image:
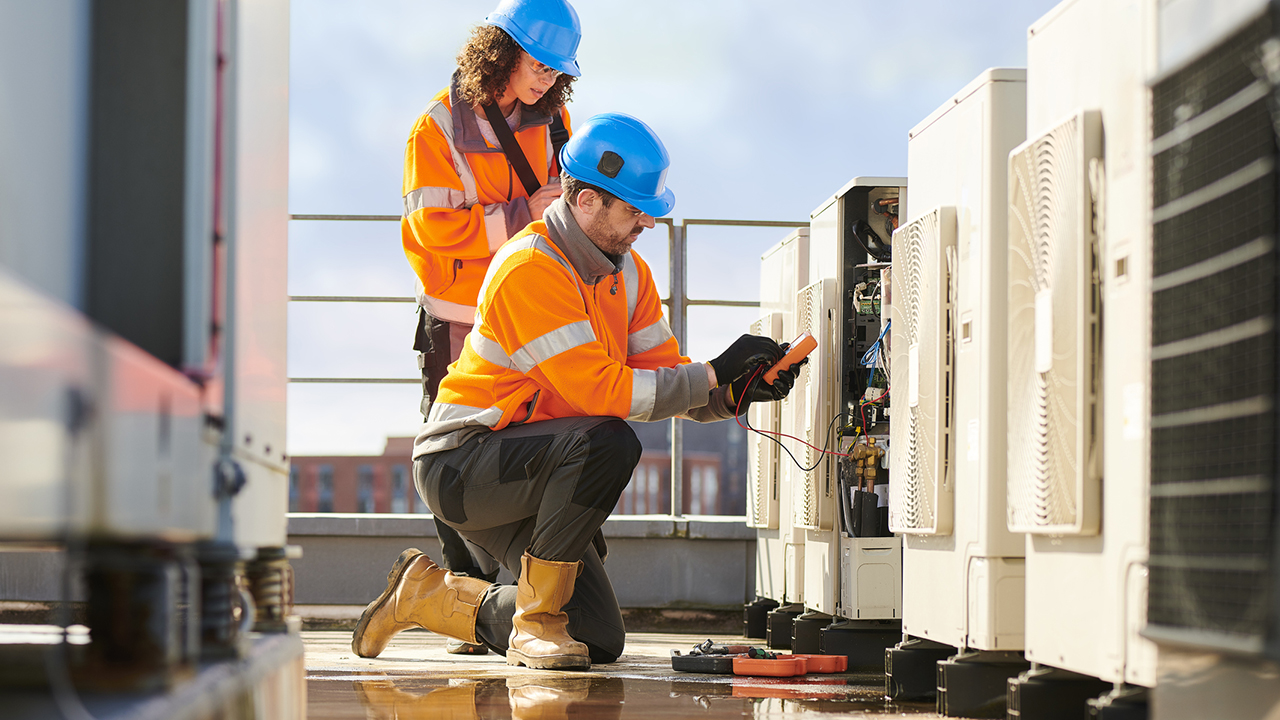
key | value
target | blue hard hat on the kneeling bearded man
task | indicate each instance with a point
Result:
(623, 156)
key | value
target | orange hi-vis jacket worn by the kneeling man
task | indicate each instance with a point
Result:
(566, 331)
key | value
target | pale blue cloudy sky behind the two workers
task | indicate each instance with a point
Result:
(766, 108)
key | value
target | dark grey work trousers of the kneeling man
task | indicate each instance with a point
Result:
(545, 489)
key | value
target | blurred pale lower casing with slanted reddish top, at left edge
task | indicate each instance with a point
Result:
(97, 436)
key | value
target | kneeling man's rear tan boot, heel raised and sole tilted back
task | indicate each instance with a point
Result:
(419, 595)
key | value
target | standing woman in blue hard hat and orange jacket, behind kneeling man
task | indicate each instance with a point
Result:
(481, 166)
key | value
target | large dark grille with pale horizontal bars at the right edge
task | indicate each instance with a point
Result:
(1214, 349)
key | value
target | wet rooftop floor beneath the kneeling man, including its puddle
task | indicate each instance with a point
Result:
(417, 680)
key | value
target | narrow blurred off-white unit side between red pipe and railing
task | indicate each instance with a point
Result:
(258, 227)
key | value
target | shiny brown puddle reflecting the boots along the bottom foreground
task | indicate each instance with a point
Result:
(565, 696)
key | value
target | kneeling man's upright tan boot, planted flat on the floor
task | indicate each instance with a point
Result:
(540, 634)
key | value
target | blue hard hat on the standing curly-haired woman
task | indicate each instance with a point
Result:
(548, 30)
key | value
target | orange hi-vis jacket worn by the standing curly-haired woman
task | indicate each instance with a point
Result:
(463, 200)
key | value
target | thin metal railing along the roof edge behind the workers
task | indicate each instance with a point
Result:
(678, 306)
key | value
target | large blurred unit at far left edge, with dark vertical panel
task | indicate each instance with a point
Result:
(102, 434)
